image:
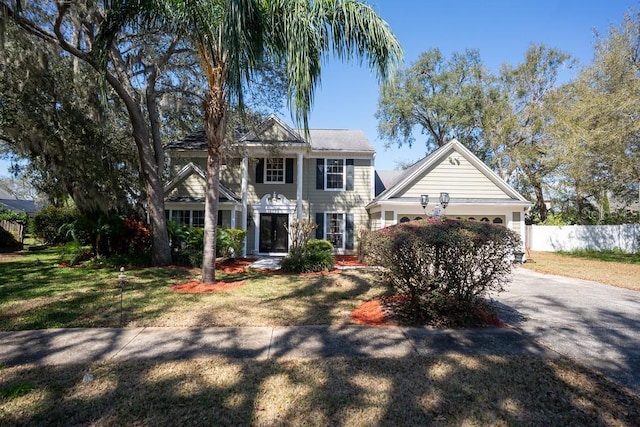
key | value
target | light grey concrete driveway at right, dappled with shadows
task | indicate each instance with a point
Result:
(595, 324)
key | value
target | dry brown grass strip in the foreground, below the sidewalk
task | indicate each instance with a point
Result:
(449, 390)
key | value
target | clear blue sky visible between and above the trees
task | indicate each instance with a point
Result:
(501, 30)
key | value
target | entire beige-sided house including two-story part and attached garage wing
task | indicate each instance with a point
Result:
(278, 176)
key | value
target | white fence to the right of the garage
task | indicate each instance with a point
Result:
(548, 238)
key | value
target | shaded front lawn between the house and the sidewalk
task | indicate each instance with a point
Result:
(36, 293)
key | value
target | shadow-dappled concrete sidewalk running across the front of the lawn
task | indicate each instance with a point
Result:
(68, 346)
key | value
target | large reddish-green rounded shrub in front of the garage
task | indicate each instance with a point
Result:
(443, 267)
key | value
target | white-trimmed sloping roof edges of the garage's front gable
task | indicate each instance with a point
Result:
(405, 179)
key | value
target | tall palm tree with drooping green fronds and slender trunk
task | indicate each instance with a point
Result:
(232, 37)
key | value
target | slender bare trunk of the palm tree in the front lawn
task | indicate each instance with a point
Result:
(215, 129)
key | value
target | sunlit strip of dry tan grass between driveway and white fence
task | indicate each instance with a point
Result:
(619, 274)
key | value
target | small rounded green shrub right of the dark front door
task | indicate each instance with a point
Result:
(315, 256)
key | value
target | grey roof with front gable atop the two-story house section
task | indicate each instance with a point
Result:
(319, 139)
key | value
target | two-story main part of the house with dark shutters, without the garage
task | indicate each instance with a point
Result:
(277, 176)
